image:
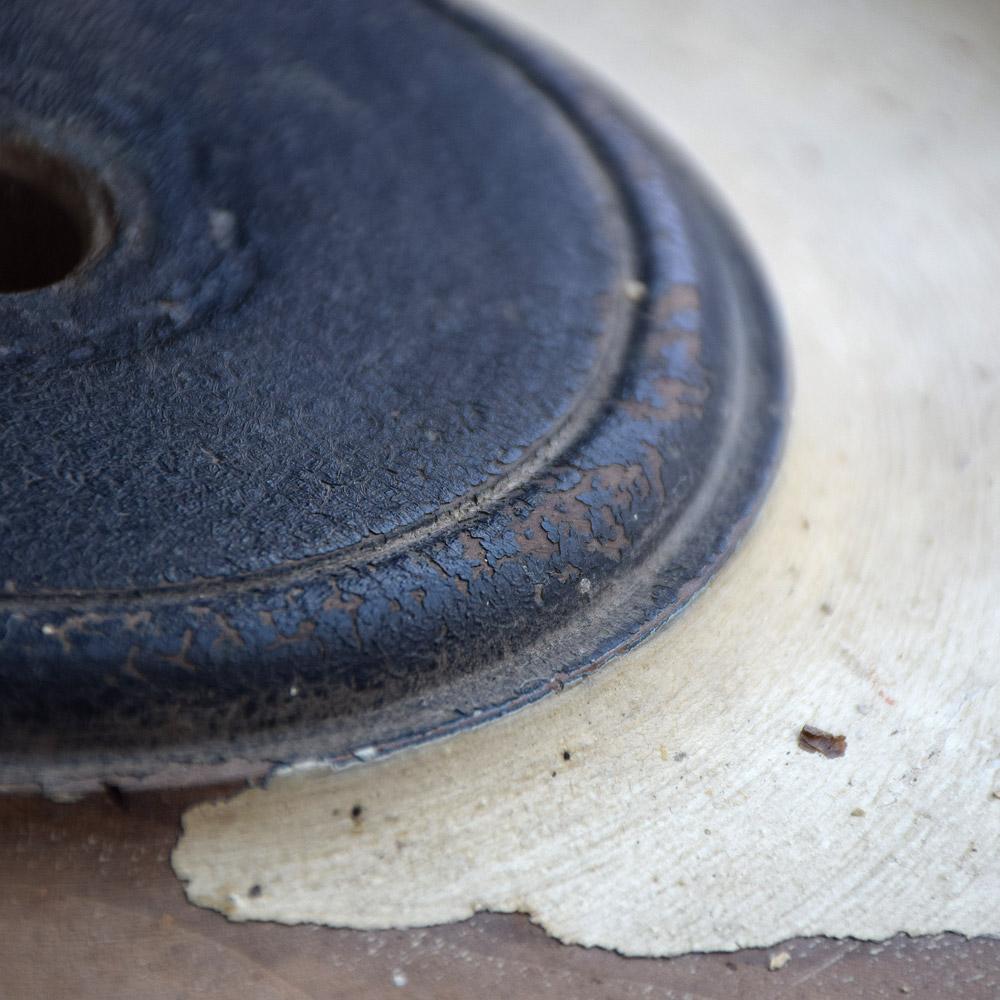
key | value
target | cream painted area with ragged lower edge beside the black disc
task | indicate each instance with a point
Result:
(860, 146)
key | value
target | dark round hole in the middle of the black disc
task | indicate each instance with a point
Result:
(53, 218)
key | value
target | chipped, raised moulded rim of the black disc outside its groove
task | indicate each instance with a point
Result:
(703, 320)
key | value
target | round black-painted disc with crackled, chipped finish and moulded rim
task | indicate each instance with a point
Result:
(398, 379)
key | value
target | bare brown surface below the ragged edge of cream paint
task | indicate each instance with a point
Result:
(90, 910)
